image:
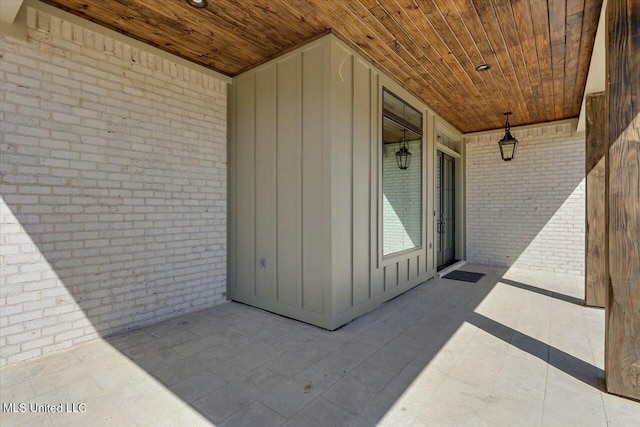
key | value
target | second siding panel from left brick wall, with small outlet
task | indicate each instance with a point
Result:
(265, 194)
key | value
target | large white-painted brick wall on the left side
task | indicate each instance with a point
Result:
(113, 171)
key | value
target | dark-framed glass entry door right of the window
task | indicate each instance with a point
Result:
(445, 209)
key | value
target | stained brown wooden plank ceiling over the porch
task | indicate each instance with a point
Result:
(539, 50)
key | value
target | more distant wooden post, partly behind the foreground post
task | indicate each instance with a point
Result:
(596, 146)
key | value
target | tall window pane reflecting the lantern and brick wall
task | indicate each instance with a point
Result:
(401, 188)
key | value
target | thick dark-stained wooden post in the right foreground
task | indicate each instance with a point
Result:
(622, 329)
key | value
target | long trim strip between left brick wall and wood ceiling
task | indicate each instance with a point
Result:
(38, 5)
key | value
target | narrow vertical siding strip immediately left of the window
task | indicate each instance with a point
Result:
(377, 272)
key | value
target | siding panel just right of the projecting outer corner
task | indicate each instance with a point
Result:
(342, 177)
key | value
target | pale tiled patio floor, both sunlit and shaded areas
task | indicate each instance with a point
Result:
(517, 348)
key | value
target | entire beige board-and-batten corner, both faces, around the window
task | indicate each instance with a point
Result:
(305, 182)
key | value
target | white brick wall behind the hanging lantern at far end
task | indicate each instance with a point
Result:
(527, 213)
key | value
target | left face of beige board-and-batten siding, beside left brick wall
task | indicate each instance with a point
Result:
(279, 194)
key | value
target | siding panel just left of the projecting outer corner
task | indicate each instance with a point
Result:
(313, 210)
